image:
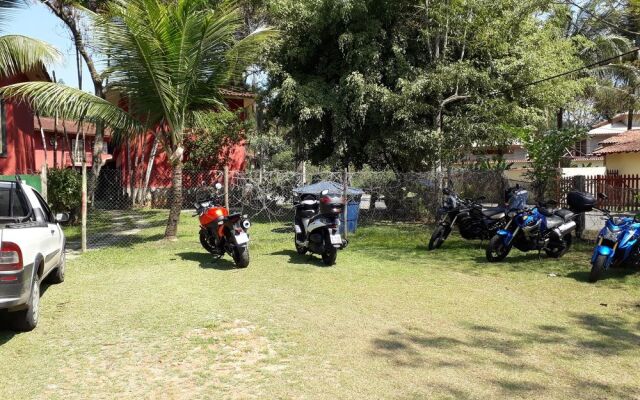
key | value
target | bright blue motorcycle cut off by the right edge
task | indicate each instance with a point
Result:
(617, 243)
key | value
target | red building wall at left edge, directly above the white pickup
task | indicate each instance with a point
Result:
(19, 153)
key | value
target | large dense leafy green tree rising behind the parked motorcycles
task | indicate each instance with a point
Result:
(407, 84)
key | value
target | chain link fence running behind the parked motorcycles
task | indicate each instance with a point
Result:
(124, 210)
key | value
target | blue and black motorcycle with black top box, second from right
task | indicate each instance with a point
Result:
(542, 228)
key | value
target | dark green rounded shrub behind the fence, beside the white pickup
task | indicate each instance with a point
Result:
(64, 191)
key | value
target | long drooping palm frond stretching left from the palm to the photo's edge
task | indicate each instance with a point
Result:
(48, 98)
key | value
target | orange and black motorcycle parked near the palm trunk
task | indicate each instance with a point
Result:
(222, 232)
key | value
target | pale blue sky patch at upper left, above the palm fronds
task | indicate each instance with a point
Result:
(38, 22)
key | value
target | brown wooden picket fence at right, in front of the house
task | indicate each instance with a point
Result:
(623, 191)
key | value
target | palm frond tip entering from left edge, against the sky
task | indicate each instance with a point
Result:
(19, 54)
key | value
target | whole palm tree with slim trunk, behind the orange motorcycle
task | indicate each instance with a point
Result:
(168, 60)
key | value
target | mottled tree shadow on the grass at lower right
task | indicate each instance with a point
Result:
(505, 349)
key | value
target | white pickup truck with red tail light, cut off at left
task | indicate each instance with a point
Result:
(32, 250)
